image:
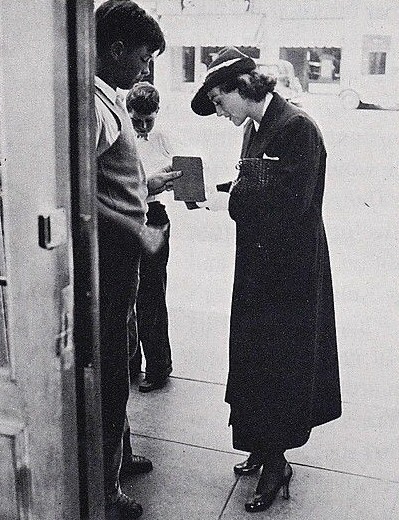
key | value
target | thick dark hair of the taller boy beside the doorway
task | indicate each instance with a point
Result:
(125, 21)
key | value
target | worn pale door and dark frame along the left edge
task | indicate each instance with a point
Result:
(50, 435)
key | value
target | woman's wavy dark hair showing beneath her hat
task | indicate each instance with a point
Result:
(251, 85)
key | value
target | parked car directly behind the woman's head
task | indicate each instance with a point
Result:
(288, 85)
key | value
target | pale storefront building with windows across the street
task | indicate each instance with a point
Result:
(333, 45)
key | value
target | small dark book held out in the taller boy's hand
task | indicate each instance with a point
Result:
(190, 187)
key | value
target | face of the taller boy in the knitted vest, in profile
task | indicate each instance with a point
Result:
(133, 65)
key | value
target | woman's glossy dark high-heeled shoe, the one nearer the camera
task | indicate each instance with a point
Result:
(272, 479)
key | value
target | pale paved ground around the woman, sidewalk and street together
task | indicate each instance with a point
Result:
(349, 469)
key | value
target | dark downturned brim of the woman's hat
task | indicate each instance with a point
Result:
(201, 104)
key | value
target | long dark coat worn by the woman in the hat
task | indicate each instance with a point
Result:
(283, 371)
